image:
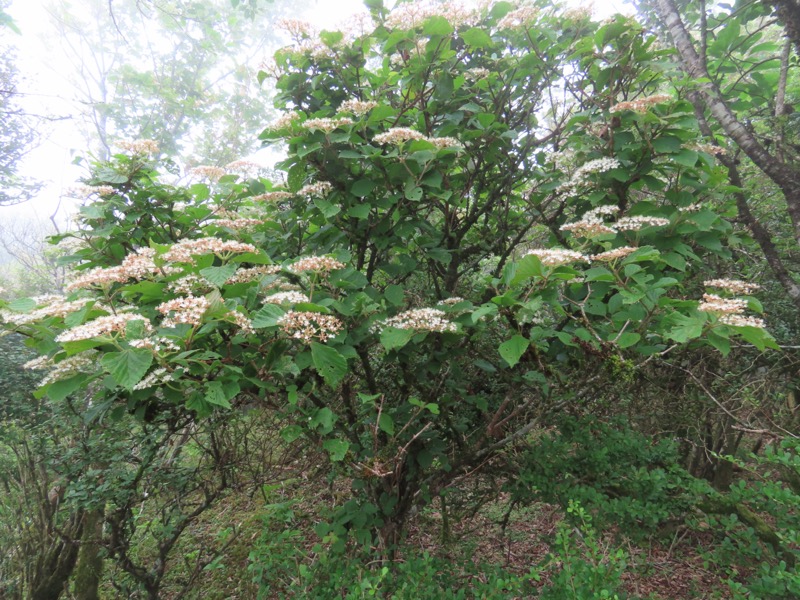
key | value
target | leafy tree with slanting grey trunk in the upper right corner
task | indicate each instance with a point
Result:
(737, 82)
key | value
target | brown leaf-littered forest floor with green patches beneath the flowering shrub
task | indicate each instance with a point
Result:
(660, 567)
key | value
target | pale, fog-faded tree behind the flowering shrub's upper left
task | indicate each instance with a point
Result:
(180, 73)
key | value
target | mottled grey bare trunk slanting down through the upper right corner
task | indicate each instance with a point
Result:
(785, 176)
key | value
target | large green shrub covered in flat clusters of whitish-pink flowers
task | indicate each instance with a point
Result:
(456, 183)
